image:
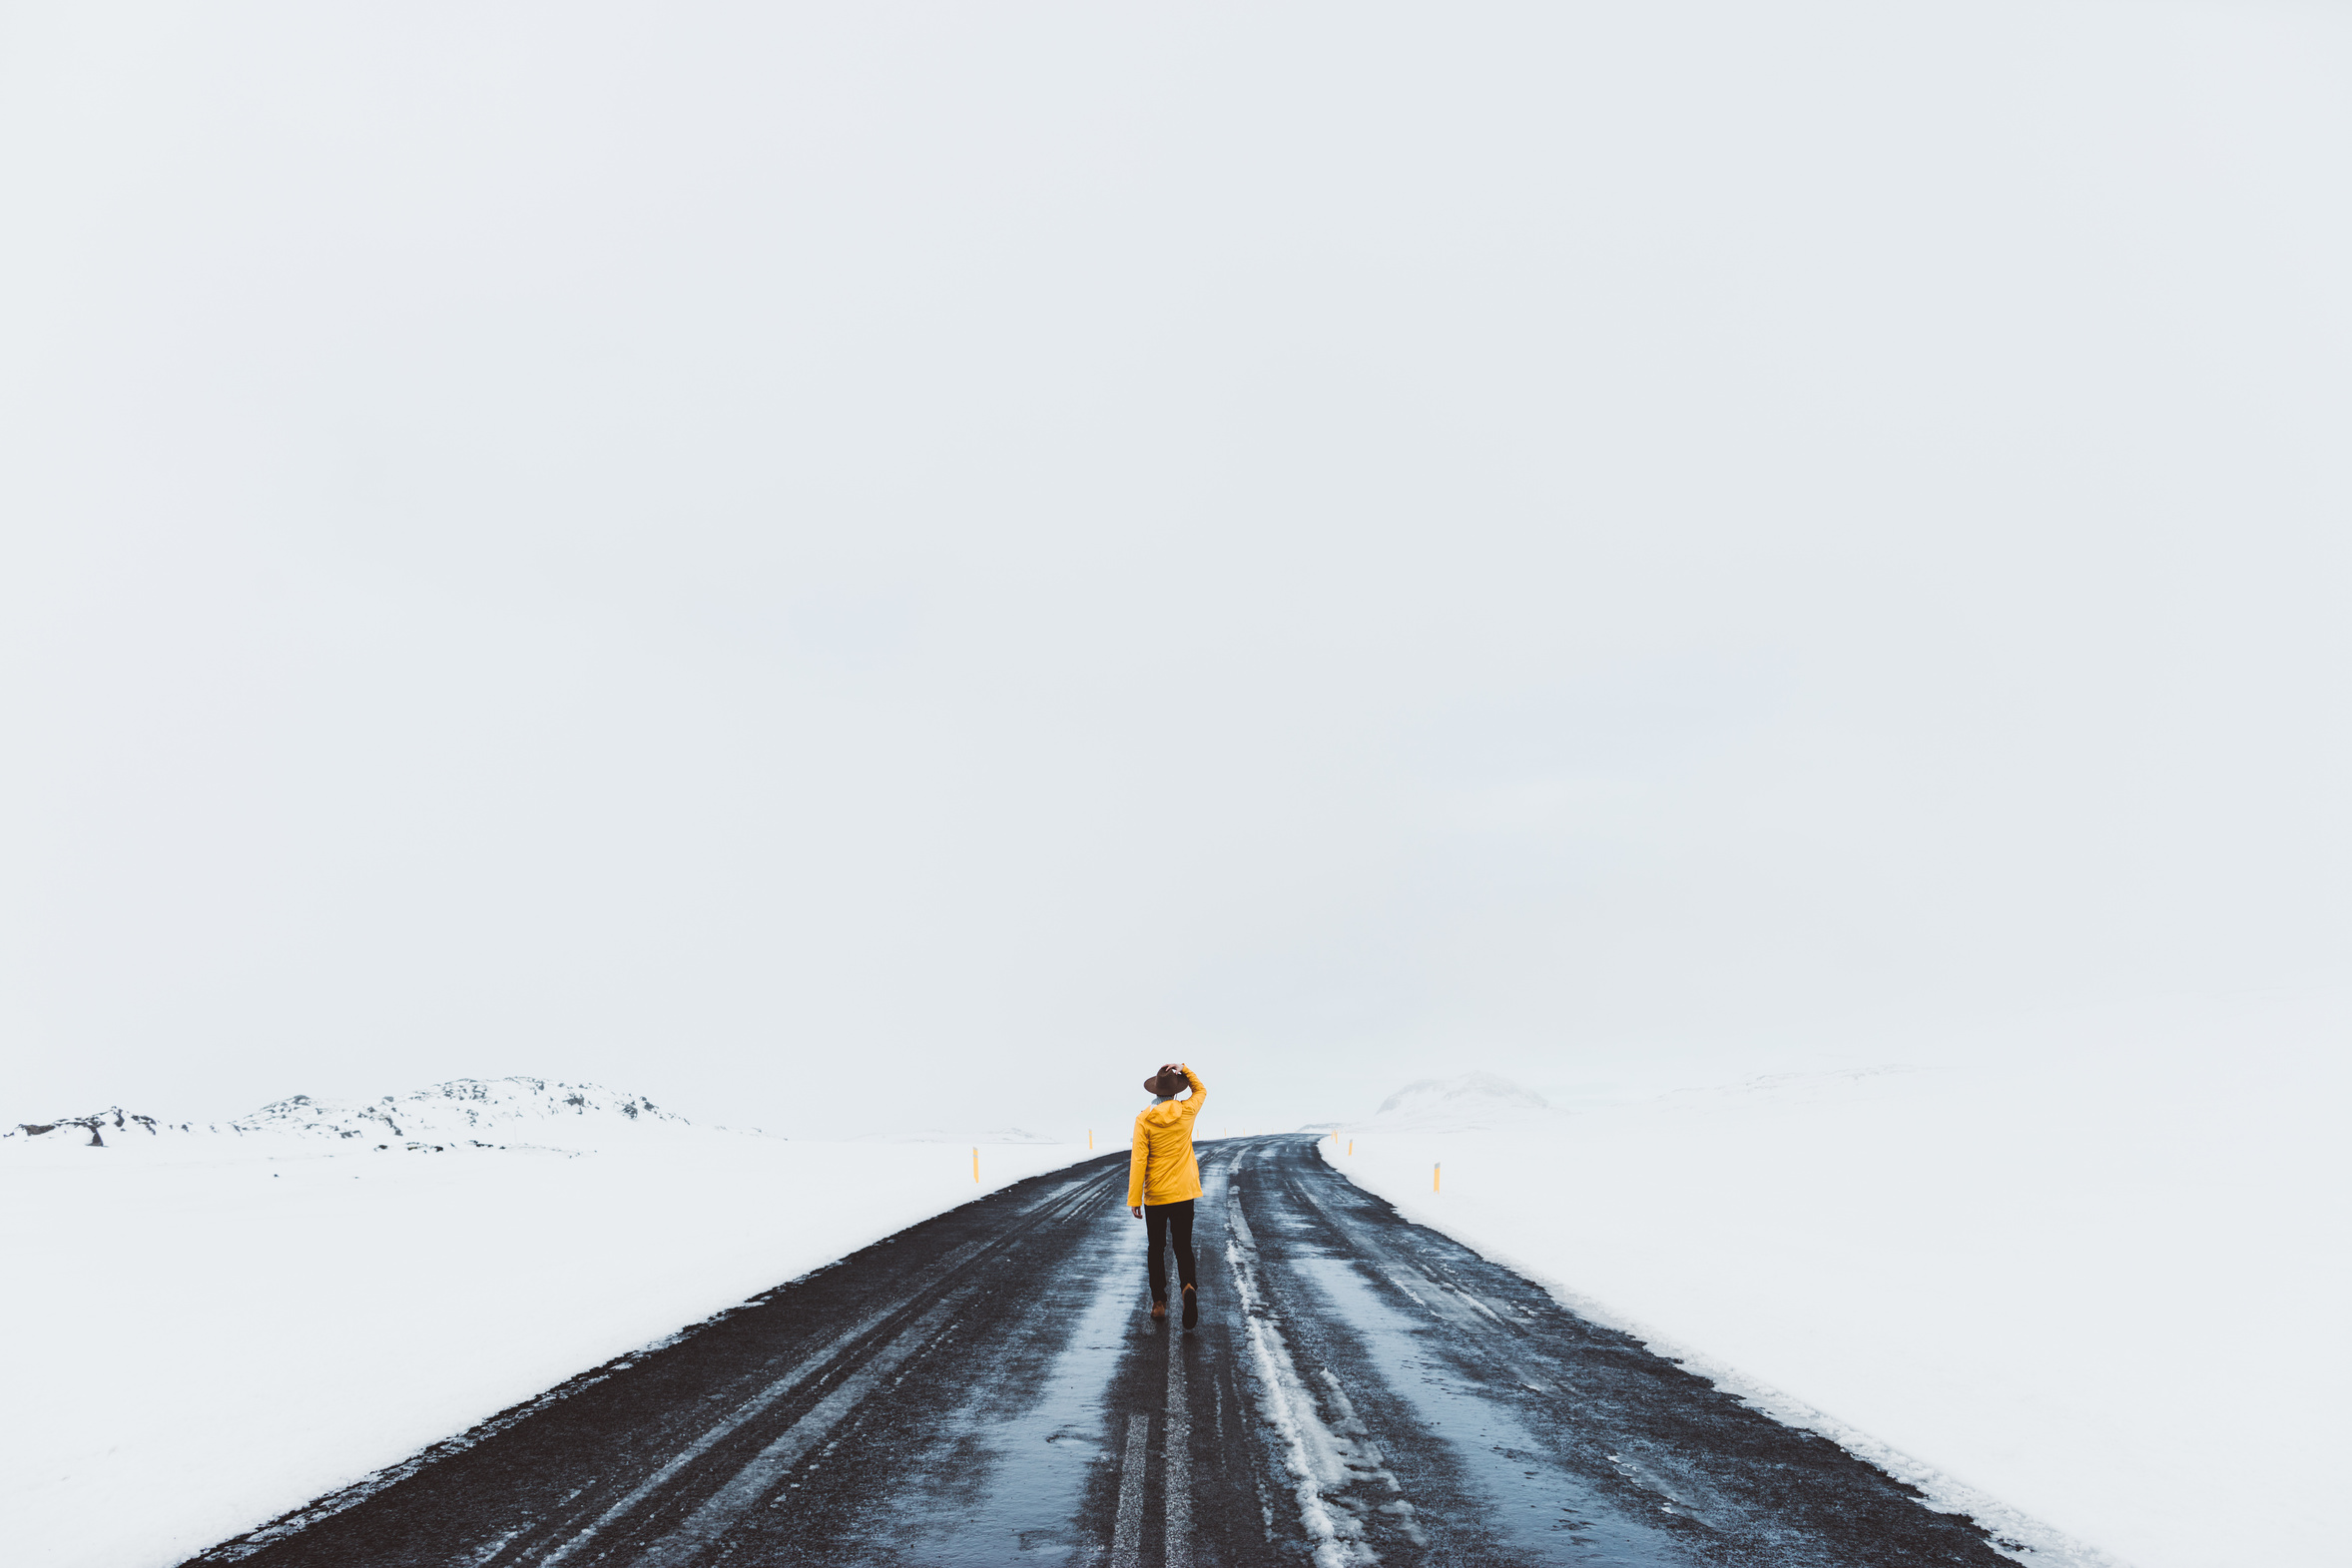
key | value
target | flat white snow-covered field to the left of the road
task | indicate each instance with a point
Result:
(211, 1329)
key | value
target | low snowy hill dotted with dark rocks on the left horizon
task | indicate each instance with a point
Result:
(457, 1113)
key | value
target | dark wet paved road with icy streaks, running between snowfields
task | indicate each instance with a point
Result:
(987, 1388)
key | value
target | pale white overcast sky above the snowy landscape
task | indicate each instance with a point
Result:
(864, 563)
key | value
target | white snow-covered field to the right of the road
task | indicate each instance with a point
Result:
(2097, 1275)
